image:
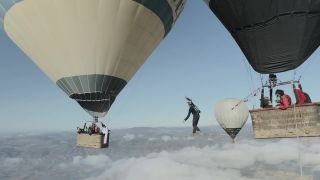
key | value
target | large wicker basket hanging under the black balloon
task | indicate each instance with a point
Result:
(295, 121)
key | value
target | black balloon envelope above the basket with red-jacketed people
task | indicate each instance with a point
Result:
(274, 35)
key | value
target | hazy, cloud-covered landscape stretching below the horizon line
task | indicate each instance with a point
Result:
(157, 154)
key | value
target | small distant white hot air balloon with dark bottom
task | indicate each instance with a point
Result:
(231, 114)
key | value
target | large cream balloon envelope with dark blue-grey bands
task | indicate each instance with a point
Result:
(90, 49)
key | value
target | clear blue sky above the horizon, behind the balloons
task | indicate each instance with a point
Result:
(198, 59)
